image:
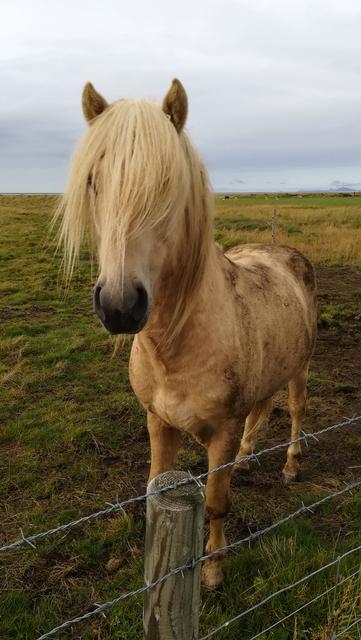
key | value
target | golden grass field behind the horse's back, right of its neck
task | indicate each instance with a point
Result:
(327, 228)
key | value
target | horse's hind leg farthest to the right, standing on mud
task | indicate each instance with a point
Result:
(297, 394)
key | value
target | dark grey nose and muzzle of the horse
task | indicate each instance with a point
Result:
(128, 316)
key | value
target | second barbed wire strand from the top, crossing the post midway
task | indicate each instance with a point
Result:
(193, 563)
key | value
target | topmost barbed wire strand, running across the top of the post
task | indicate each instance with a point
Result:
(120, 506)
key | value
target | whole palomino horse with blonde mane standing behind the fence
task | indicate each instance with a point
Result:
(216, 334)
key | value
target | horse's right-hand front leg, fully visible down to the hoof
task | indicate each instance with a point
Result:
(221, 450)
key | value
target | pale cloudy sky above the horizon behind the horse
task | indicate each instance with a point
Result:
(274, 87)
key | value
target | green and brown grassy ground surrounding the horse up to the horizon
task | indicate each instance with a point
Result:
(73, 437)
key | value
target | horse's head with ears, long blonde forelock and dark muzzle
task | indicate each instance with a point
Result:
(134, 186)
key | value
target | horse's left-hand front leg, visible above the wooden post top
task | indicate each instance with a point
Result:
(164, 445)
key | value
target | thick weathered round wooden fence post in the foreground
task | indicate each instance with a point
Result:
(174, 537)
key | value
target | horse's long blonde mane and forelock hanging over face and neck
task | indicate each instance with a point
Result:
(145, 172)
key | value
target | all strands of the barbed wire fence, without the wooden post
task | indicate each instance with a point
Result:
(252, 537)
